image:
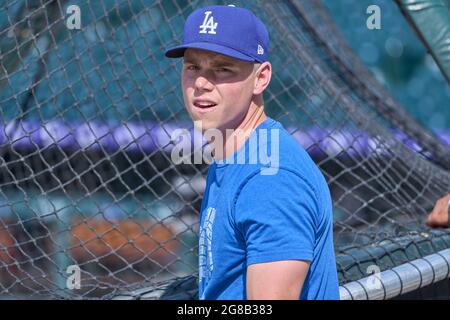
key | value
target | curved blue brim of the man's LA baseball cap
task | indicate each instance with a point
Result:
(178, 51)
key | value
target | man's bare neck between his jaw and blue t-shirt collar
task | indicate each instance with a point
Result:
(233, 142)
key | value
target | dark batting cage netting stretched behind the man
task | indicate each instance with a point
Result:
(92, 205)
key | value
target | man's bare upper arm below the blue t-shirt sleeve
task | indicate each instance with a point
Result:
(278, 280)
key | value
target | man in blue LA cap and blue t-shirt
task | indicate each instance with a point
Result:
(265, 226)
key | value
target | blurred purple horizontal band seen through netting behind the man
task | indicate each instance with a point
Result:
(152, 136)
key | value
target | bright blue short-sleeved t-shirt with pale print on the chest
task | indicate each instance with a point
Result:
(277, 207)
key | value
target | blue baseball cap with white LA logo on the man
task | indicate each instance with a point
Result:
(228, 30)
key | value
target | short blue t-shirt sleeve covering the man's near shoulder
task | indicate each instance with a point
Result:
(277, 216)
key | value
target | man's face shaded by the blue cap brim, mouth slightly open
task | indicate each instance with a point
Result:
(217, 90)
